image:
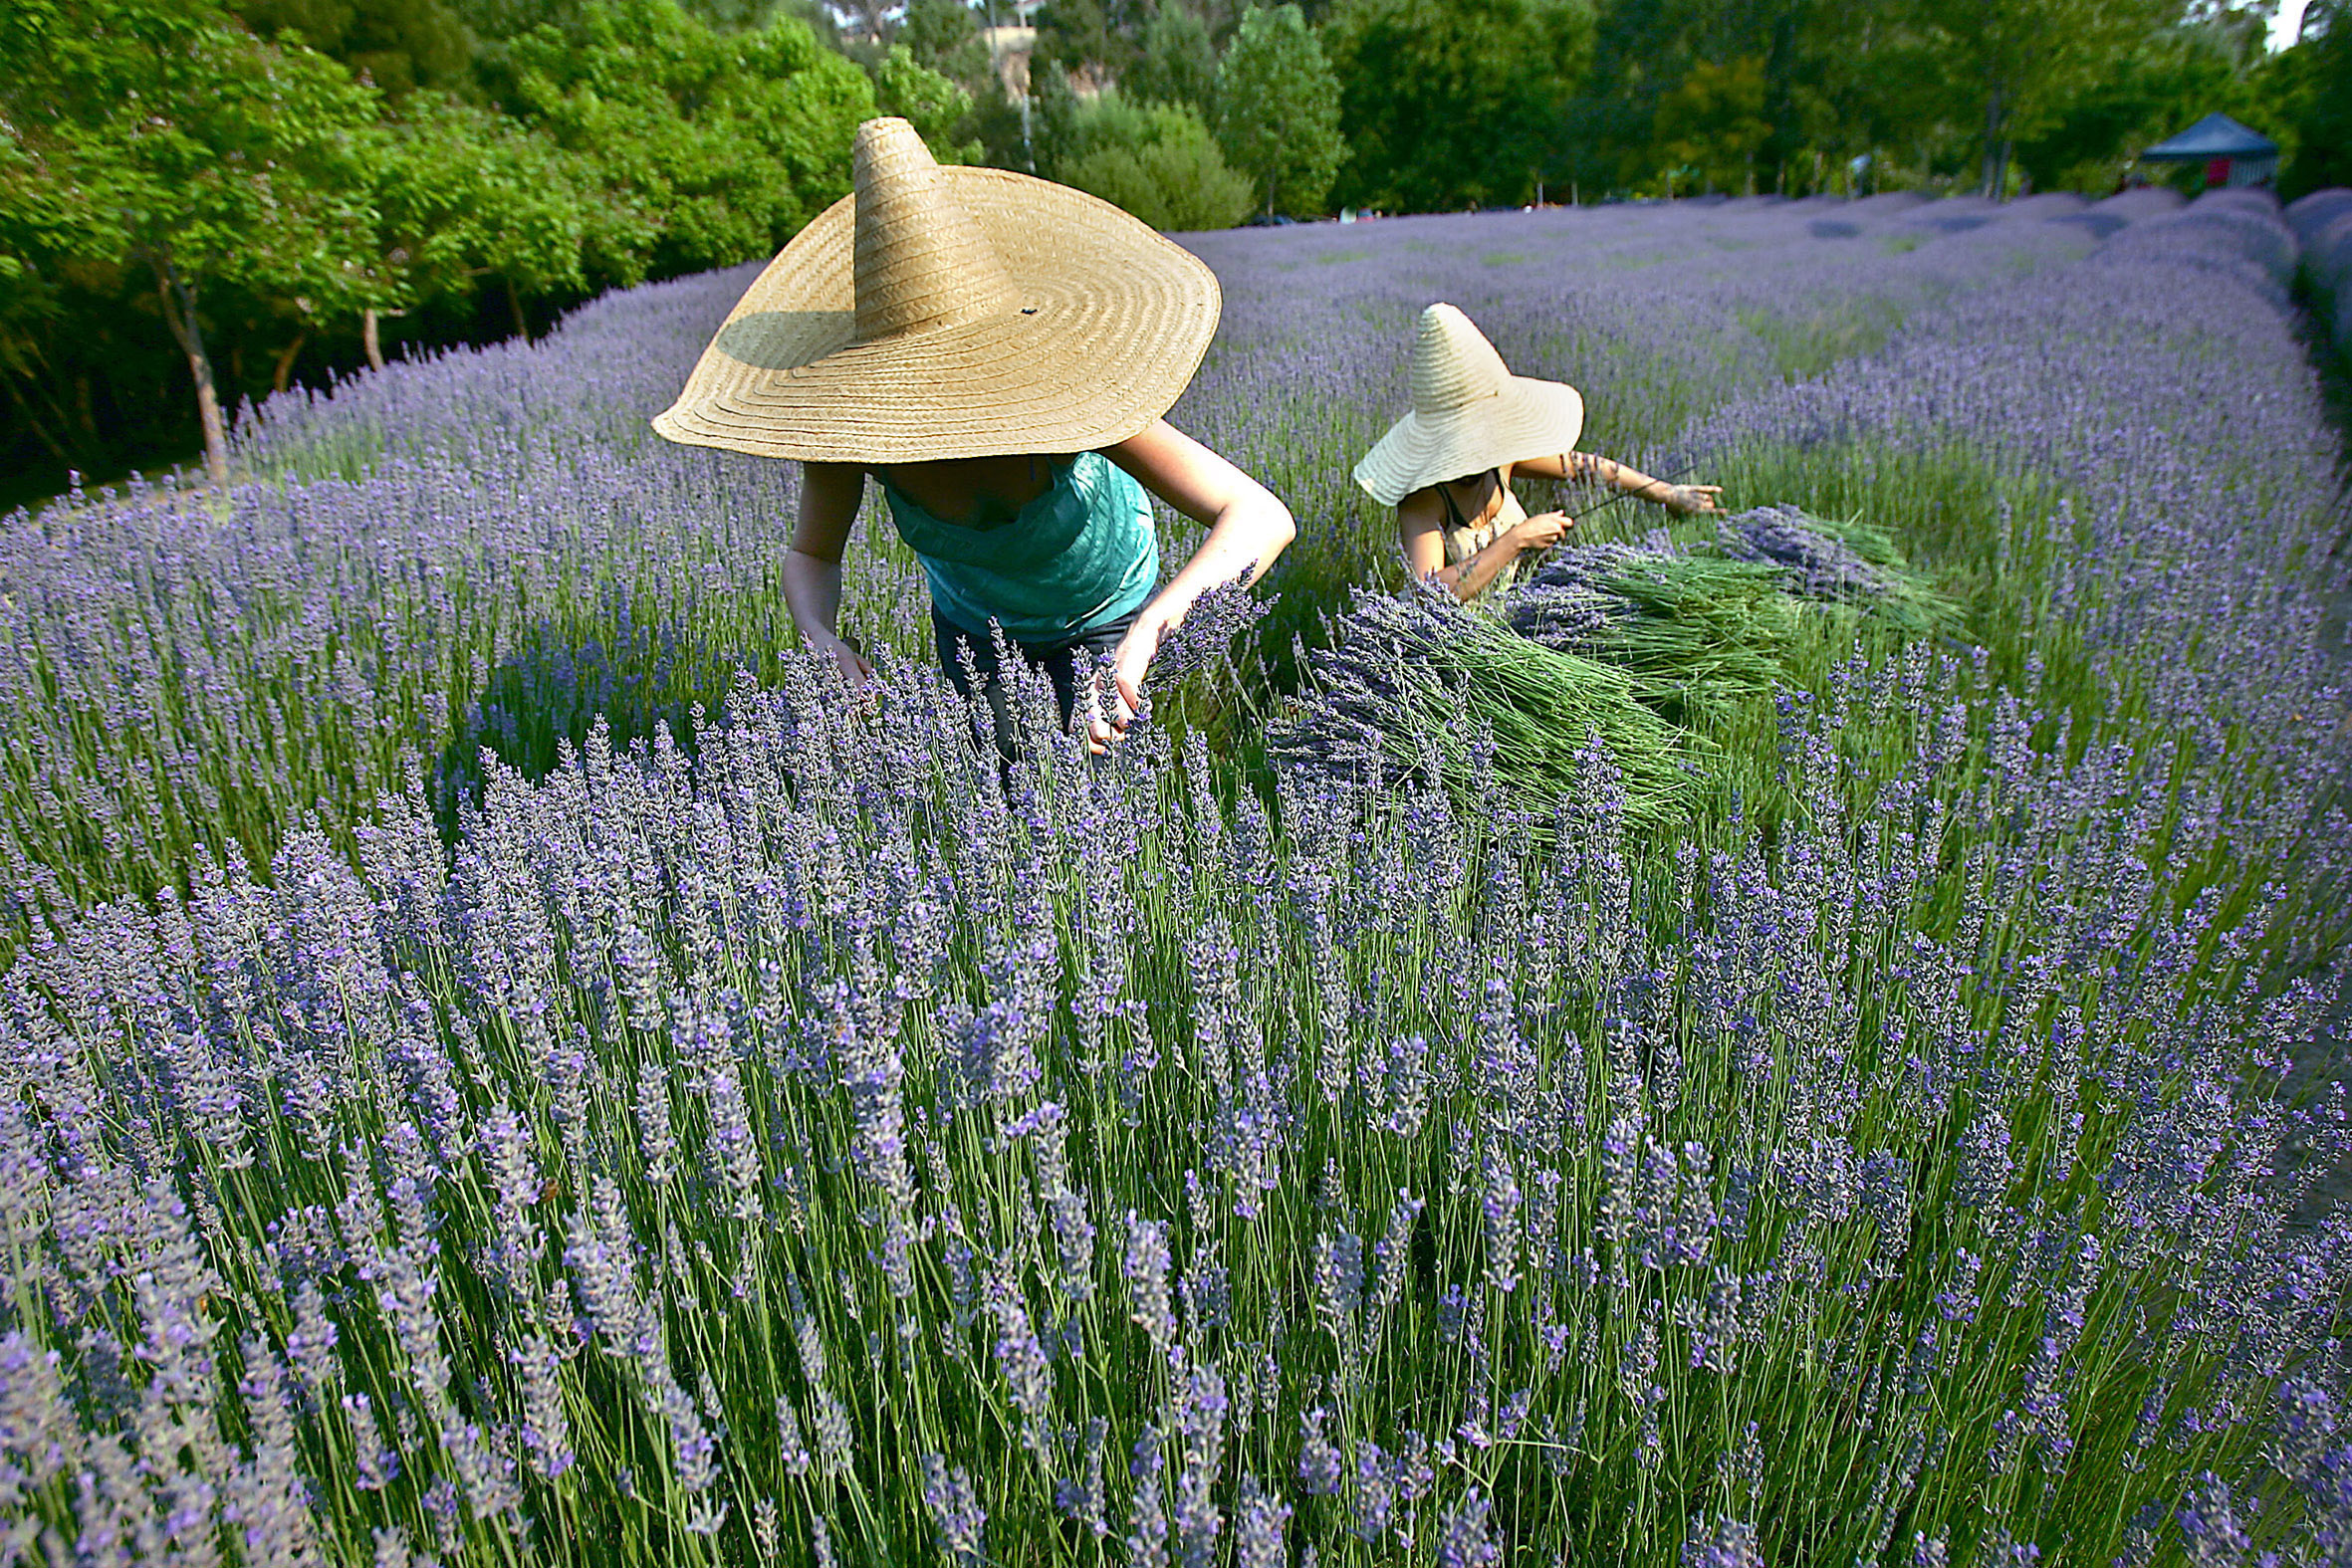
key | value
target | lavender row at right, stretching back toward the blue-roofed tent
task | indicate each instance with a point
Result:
(2184, 455)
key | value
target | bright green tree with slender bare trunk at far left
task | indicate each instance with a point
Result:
(163, 138)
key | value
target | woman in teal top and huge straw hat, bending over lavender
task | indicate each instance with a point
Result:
(996, 351)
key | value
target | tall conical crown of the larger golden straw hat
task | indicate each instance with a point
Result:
(921, 262)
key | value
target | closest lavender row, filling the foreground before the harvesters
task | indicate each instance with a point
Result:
(831, 1148)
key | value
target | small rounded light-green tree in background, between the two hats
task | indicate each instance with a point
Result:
(1278, 109)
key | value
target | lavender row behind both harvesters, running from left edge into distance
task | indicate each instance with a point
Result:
(490, 547)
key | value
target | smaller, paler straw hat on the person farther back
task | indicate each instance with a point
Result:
(1469, 415)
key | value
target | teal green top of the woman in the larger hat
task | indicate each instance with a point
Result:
(1078, 556)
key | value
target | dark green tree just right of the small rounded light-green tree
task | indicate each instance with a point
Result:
(1455, 102)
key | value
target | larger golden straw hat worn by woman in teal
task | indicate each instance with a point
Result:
(951, 314)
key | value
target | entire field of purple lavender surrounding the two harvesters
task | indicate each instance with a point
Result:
(505, 1061)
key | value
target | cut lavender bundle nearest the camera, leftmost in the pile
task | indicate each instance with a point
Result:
(1415, 685)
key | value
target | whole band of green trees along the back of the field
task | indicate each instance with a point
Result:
(305, 166)
